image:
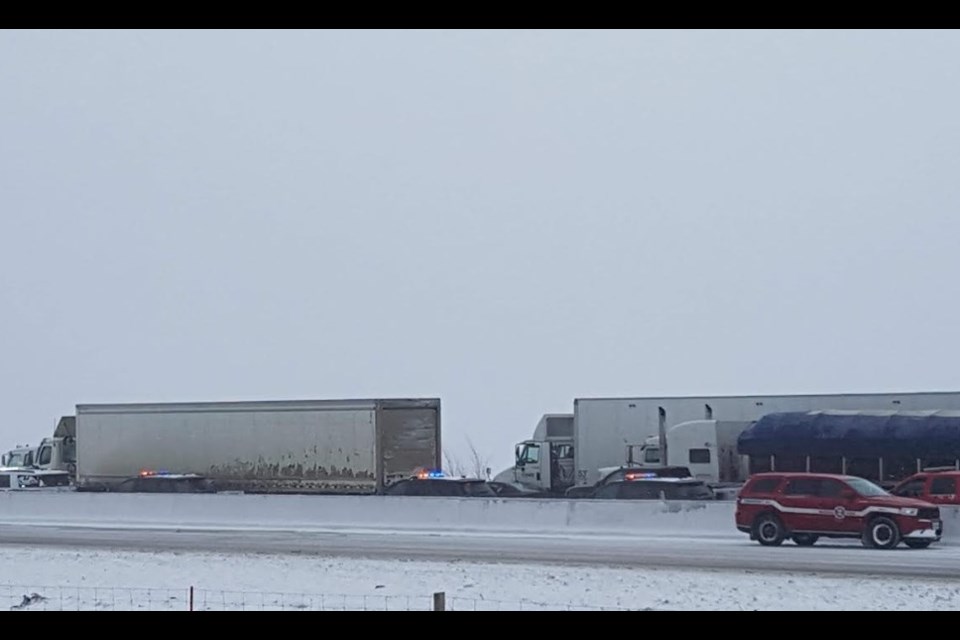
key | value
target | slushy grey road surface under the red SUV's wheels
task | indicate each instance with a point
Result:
(728, 552)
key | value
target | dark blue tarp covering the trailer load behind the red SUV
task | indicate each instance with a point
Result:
(854, 434)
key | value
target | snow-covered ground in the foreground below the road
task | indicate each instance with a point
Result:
(94, 579)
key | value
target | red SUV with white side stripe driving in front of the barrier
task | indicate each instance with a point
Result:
(803, 507)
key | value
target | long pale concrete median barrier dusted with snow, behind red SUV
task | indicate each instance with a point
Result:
(381, 512)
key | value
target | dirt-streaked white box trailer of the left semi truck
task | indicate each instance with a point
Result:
(313, 446)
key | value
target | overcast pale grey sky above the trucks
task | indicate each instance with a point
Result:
(506, 220)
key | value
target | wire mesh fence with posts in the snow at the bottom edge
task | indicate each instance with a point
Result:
(73, 598)
